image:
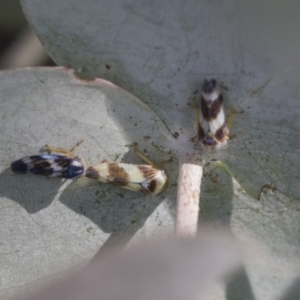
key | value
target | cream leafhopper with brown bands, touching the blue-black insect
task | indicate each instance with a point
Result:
(139, 178)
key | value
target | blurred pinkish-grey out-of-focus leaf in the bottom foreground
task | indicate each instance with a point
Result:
(168, 269)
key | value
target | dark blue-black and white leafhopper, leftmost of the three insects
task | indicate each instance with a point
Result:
(63, 164)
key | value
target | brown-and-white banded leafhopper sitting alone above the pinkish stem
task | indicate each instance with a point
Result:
(211, 123)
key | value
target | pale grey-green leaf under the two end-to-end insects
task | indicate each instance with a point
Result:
(69, 220)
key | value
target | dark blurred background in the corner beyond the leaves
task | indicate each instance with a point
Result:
(19, 46)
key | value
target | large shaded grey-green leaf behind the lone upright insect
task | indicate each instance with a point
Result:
(161, 52)
